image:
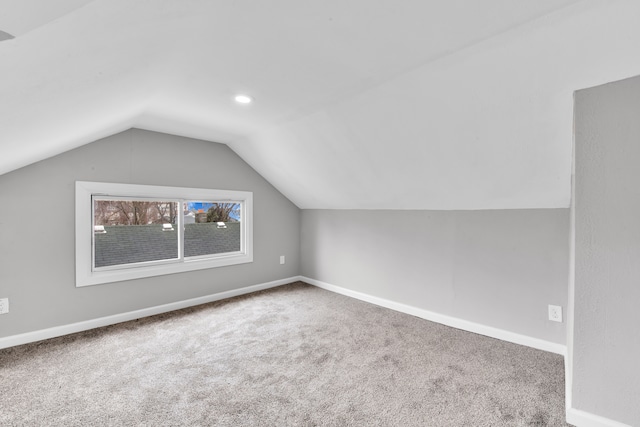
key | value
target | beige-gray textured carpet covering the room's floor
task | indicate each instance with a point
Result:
(294, 355)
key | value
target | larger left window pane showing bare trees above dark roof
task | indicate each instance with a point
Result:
(132, 231)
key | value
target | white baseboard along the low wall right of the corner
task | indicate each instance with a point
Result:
(445, 320)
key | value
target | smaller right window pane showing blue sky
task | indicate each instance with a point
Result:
(211, 227)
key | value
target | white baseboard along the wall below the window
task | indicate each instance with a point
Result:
(58, 331)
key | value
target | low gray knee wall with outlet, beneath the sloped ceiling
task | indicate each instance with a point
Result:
(497, 268)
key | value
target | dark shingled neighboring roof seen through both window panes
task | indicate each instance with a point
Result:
(127, 244)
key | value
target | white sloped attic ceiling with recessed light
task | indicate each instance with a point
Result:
(376, 104)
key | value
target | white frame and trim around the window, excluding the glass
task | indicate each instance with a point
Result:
(86, 275)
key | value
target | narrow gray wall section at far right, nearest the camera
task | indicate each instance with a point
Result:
(606, 342)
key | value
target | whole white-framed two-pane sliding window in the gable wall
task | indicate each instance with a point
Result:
(127, 231)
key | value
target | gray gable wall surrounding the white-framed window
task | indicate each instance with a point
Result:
(37, 253)
